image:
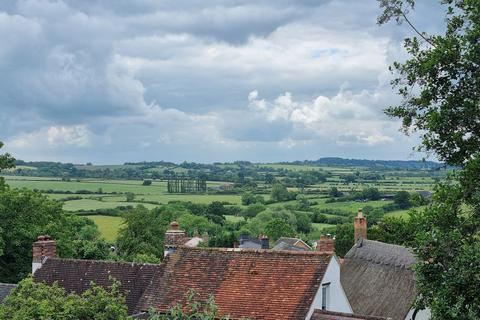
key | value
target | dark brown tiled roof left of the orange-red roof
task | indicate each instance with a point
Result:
(76, 275)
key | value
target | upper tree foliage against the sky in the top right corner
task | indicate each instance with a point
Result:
(440, 83)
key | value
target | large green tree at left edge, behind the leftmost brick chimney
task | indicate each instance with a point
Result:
(24, 215)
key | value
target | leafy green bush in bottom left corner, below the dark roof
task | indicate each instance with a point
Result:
(33, 300)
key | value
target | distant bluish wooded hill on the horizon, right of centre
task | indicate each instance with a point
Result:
(377, 164)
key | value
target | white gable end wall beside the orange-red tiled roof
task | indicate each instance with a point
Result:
(337, 300)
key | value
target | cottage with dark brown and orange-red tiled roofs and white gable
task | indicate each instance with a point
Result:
(258, 284)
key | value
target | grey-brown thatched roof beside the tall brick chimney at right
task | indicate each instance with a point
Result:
(378, 279)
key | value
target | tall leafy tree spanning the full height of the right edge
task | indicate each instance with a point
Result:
(440, 89)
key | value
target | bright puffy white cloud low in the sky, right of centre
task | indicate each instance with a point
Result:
(344, 118)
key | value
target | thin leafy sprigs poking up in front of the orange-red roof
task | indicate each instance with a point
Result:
(194, 309)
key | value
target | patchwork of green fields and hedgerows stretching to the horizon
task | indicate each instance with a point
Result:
(89, 189)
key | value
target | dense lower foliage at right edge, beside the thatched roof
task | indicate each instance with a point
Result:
(447, 243)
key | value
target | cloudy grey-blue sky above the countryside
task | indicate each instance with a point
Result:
(201, 80)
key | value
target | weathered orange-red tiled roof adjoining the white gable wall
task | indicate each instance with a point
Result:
(257, 284)
